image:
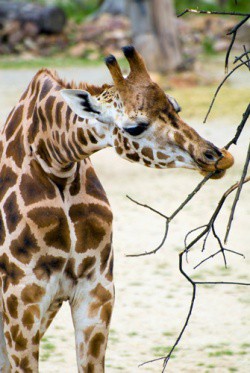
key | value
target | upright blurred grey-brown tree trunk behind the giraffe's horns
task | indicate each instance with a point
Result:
(155, 34)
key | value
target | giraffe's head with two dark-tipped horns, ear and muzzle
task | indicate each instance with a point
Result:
(143, 122)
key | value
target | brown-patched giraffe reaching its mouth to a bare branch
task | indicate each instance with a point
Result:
(55, 218)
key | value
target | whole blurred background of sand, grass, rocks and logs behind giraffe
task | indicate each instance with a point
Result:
(186, 57)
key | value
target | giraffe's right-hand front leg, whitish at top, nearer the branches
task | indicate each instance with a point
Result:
(91, 314)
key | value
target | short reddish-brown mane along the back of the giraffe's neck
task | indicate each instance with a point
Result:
(92, 89)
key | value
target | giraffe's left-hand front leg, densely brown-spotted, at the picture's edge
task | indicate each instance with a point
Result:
(21, 326)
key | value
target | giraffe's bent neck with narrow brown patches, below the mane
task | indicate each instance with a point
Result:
(57, 137)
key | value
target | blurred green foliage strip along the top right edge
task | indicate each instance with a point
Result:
(228, 6)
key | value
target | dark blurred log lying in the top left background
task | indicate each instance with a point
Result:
(50, 19)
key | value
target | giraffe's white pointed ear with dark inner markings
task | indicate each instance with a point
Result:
(83, 104)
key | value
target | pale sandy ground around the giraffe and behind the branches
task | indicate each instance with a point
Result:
(152, 298)
